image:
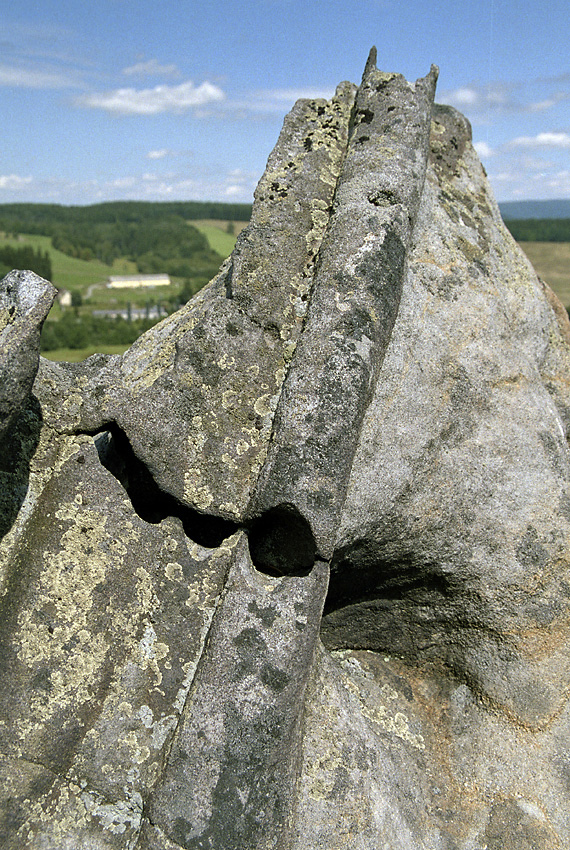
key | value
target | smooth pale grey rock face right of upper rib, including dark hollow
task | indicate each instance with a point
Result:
(458, 491)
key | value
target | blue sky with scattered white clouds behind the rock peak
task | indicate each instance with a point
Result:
(180, 100)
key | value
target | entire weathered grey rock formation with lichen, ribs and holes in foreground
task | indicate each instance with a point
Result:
(293, 572)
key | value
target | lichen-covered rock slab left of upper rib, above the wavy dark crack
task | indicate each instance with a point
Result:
(196, 395)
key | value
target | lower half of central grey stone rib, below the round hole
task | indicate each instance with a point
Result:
(235, 757)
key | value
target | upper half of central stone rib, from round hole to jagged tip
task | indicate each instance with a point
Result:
(354, 304)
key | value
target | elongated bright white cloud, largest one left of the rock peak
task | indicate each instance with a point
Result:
(129, 101)
